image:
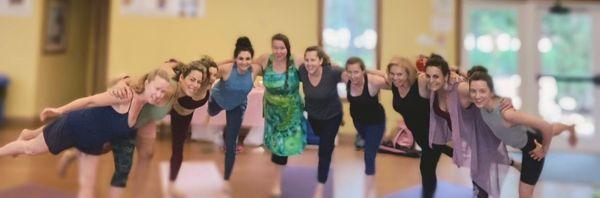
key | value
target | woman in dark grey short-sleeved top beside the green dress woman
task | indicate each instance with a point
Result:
(322, 103)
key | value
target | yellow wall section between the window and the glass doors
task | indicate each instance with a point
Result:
(402, 22)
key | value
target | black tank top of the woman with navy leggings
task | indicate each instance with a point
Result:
(365, 109)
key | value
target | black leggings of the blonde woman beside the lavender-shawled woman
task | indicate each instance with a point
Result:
(428, 166)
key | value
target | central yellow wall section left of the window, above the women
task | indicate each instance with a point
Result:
(138, 44)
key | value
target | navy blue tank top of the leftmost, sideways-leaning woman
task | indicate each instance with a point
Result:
(92, 127)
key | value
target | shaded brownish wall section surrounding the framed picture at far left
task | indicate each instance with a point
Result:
(62, 76)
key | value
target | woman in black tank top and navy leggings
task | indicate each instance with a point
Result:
(367, 114)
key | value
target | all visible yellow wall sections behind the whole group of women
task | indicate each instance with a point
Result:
(138, 44)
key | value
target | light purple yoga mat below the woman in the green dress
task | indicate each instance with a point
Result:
(300, 182)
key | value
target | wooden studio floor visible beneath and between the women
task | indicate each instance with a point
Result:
(254, 173)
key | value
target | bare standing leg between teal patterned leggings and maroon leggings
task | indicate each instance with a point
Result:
(145, 144)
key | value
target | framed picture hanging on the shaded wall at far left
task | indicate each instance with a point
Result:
(55, 32)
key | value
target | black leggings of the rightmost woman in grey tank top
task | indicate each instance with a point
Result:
(531, 169)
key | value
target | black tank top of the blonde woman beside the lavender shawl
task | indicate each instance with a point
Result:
(415, 111)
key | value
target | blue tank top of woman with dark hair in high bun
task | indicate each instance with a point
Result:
(233, 92)
